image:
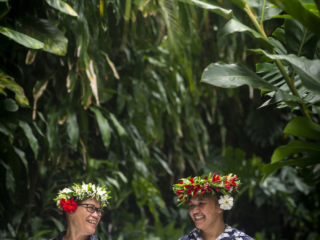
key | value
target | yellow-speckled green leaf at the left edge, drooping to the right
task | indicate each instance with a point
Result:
(7, 82)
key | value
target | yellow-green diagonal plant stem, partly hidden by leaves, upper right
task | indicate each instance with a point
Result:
(279, 64)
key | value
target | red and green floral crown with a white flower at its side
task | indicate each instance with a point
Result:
(190, 187)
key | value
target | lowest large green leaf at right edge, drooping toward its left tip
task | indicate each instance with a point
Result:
(301, 162)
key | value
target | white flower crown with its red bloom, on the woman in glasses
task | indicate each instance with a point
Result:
(66, 199)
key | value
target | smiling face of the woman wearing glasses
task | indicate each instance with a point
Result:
(85, 222)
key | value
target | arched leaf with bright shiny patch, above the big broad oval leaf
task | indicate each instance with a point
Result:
(235, 26)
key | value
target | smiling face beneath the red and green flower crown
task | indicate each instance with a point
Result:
(205, 212)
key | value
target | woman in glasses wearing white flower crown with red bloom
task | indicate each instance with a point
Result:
(83, 205)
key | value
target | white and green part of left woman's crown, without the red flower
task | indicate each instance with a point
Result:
(81, 192)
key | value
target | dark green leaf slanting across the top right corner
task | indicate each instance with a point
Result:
(297, 10)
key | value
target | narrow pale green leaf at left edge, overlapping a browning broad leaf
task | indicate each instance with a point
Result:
(23, 39)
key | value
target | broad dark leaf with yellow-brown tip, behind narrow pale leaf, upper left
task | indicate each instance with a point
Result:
(44, 31)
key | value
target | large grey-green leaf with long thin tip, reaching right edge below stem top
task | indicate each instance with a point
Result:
(308, 70)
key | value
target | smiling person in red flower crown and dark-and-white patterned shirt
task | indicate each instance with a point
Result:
(209, 199)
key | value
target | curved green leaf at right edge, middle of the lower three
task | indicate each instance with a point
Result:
(294, 147)
